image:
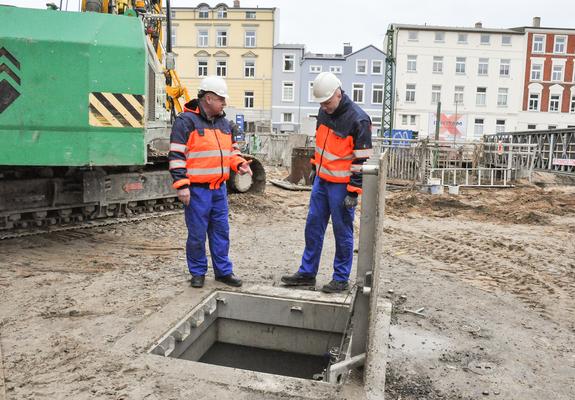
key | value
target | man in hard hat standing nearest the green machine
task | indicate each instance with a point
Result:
(202, 151)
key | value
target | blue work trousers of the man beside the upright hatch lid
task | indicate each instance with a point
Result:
(327, 200)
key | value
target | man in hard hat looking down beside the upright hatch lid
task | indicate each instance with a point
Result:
(343, 144)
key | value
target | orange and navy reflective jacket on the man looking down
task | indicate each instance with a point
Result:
(342, 144)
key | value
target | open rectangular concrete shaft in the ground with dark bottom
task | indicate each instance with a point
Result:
(274, 335)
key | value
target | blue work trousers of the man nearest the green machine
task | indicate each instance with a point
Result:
(207, 213)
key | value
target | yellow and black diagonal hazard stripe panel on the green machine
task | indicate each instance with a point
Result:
(116, 110)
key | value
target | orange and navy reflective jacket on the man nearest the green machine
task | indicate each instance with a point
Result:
(202, 151)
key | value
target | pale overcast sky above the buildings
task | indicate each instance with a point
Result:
(324, 25)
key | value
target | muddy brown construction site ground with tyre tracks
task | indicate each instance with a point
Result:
(483, 288)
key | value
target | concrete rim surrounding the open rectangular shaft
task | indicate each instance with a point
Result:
(260, 385)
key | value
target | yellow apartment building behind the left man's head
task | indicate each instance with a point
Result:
(235, 43)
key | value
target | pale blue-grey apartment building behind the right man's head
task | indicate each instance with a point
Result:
(293, 107)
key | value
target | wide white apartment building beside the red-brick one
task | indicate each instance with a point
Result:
(476, 73)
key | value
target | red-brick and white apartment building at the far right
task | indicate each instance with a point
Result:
(548, 100)
